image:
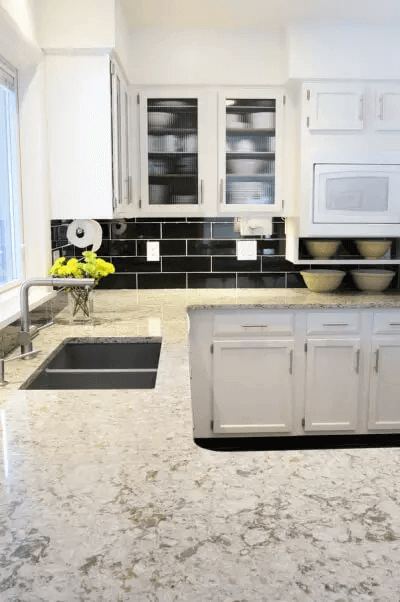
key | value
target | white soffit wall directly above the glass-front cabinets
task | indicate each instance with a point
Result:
(206, 56)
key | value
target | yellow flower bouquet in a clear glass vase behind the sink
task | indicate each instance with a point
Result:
(90, 266)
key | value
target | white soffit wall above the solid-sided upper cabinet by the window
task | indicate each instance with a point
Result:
(75, 23)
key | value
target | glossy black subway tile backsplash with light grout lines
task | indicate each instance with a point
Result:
(195, 252)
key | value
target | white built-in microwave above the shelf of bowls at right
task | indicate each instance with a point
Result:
(356, 193)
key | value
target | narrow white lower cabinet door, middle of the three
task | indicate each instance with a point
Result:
(332, 384)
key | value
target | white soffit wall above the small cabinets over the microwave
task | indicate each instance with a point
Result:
(351, 50)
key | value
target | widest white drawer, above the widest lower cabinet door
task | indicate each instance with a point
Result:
(254, 322)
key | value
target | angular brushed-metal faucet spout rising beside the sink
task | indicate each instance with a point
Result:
(25, 338)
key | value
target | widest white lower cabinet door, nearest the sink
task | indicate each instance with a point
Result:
(253, 386)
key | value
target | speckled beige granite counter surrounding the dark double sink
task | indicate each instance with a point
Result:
(105, 497)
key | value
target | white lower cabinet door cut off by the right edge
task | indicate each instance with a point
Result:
(384, 396)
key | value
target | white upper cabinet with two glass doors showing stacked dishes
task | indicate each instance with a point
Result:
(209, 152)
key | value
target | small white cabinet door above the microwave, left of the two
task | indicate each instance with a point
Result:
(334, 107)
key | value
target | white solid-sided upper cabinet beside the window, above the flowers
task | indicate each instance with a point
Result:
(87, 122)
